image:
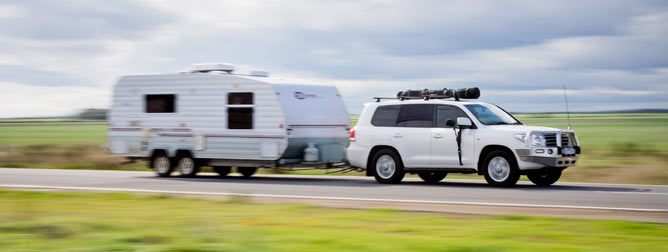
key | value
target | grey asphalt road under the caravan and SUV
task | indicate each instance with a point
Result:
(607, 201)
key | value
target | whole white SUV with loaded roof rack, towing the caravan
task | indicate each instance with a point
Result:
(433, 137)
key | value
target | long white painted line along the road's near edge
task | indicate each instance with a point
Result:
(337, 198)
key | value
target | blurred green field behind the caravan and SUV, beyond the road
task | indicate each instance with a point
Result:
(617, 148)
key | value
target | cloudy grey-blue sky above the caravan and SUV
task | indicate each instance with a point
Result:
(60, 56)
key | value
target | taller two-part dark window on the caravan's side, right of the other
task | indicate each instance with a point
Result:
(240, 110)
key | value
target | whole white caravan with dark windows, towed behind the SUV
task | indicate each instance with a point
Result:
(216, 117)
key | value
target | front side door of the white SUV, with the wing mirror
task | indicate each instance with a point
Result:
(444, 140)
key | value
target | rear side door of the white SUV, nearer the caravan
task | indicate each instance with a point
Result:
(412, 135)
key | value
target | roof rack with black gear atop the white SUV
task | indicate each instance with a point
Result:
(426, 94)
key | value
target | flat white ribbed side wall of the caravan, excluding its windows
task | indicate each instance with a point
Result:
(199, 123)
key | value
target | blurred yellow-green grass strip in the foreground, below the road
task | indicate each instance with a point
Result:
(40, 221)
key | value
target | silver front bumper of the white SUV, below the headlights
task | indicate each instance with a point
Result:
(549, 156)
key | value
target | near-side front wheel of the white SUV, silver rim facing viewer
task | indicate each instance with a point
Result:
(501, 169)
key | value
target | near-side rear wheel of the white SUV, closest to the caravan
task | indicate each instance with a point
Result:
(388, 168)
